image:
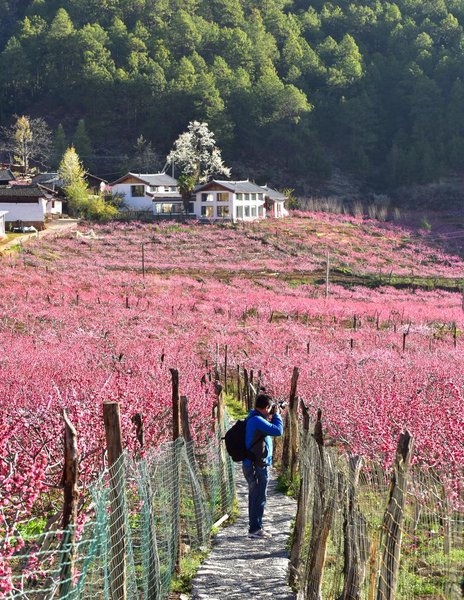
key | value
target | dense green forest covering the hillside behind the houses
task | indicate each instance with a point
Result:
(373, 87)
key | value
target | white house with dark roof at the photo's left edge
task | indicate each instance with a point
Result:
(27, 204)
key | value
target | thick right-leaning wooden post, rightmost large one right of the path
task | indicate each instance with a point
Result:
(392, 526)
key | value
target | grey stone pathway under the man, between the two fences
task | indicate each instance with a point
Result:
(239, 567)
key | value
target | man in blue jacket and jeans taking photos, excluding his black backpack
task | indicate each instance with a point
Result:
(263, 422)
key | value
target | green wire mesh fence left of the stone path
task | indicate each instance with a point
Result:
(144, 514)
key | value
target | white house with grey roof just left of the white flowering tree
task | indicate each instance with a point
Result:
(156, 192)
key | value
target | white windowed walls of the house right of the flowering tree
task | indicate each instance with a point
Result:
(228, 205)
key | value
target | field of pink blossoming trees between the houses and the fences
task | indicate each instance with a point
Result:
(91, 317)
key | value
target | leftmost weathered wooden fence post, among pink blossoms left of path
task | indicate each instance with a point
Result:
(71, 495)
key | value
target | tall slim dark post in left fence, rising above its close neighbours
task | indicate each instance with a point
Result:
(176, 434)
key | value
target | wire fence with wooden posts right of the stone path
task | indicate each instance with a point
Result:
(359, 537)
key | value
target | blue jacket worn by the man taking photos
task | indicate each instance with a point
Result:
(258, 428)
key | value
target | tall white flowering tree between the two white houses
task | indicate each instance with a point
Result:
(196, 155)
